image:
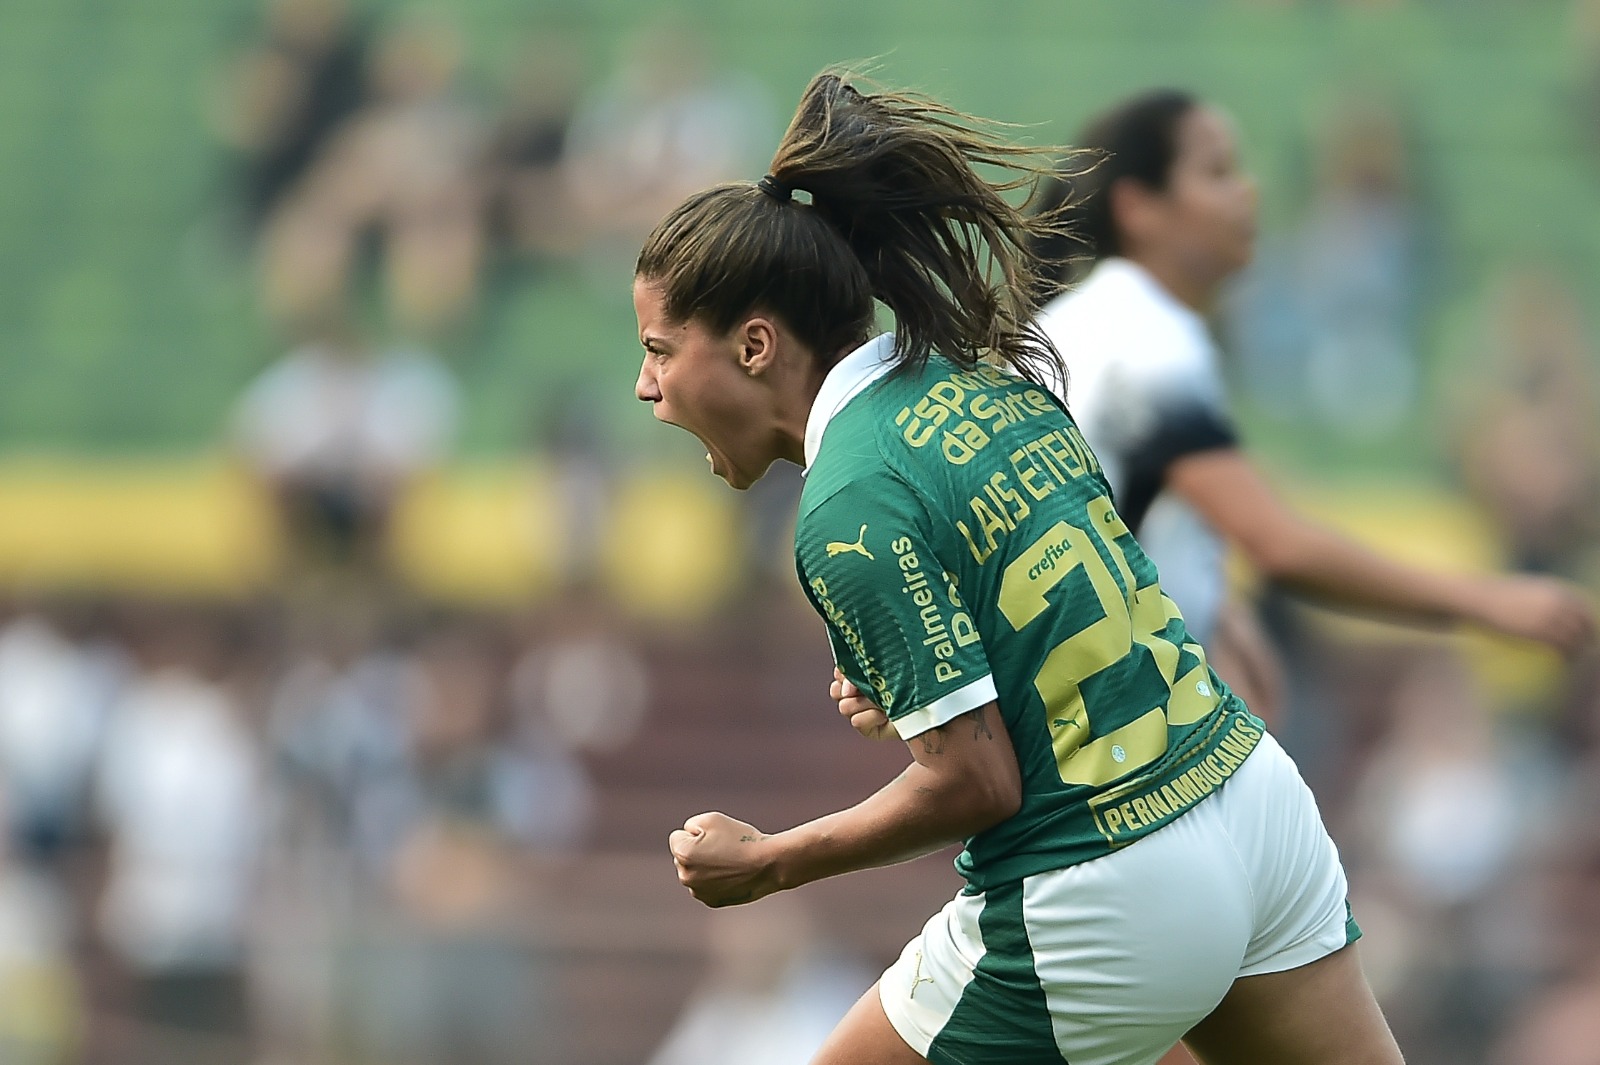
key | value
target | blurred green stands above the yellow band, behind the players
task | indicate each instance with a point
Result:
(129, 319)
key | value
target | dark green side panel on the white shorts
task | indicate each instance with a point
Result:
(1002, 1018)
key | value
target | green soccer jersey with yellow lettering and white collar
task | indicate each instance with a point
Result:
(961, 543)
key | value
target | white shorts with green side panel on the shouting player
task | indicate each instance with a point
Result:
(1114, 960)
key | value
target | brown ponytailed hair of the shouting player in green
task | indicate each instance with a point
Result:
(897, 215)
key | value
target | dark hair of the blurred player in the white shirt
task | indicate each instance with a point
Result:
(1135, 142)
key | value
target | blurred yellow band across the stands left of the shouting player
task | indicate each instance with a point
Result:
(495, 535)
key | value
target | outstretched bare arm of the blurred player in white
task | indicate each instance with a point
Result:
(1236, 500)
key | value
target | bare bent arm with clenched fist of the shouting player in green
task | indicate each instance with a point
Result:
(964, 780)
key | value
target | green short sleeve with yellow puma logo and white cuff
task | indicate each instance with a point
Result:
(895, 615)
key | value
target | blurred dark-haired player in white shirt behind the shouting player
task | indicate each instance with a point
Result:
(1166, 220)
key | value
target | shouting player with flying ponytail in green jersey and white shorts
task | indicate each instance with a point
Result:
(1143, 861)
